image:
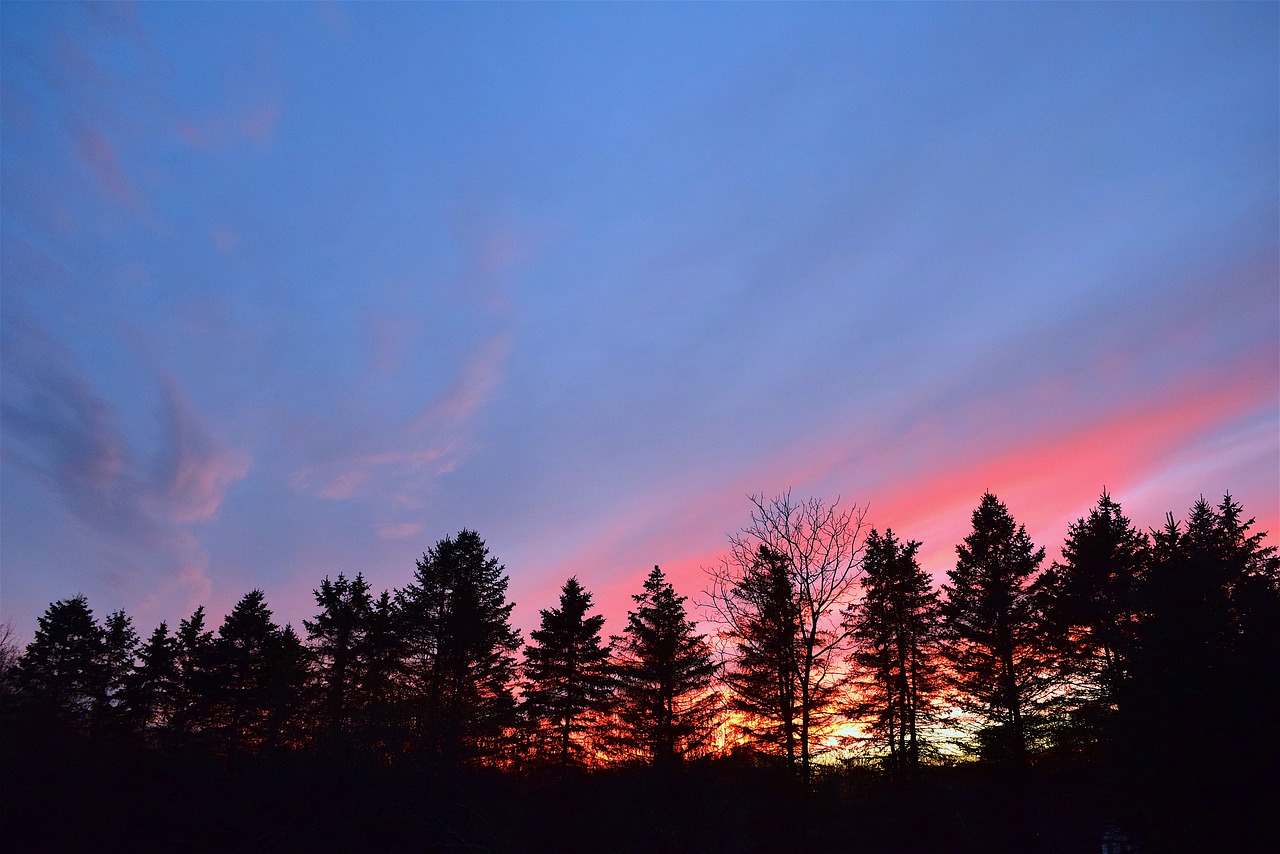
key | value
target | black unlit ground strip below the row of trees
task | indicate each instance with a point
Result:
(65, 793)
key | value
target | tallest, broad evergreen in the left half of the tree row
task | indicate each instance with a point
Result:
(461, 650)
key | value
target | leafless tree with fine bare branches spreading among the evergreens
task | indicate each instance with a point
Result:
(778, 595)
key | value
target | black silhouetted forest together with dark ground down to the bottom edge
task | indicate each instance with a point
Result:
(820, 695)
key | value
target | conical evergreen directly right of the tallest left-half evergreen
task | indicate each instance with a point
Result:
(568, 672)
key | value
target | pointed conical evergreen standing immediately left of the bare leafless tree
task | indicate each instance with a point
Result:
(665, 669)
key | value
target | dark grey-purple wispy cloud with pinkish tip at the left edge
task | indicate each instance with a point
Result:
(58, 428)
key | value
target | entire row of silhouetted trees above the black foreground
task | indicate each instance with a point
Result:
(1132, 642)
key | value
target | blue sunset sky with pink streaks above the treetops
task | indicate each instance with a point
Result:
(295, 290)
